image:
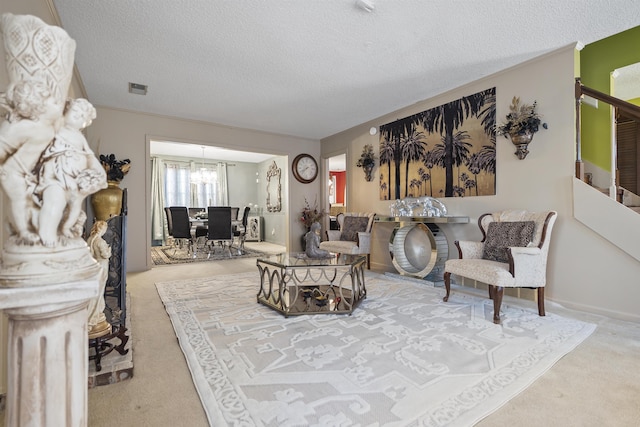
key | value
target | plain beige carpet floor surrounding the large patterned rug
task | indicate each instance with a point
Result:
(597, 384)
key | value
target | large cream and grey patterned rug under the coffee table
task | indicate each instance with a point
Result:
(402, 358)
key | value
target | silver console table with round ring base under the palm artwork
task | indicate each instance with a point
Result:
(418, 247)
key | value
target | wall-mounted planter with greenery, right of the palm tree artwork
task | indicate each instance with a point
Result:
(523, 121)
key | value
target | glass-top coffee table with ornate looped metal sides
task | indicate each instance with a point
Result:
(293, 284)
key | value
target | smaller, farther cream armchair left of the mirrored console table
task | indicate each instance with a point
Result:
(354, 236)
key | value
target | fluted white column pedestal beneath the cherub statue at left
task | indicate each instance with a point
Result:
(47, 347)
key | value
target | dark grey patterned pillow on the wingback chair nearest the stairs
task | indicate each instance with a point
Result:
(501, 235)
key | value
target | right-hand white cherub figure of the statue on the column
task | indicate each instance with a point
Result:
(68, 171)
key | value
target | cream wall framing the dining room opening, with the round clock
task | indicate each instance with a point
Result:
(127, 134)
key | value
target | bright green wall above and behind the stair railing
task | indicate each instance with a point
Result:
(597, 62)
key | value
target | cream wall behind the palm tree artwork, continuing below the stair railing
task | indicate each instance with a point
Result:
(585, 270)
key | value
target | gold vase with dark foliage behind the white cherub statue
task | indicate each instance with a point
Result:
(108, 202)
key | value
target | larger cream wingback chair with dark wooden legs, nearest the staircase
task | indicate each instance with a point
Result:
(513, 253)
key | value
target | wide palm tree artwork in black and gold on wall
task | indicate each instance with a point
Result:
(446, 151)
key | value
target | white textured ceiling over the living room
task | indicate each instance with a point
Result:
(313, 68)
